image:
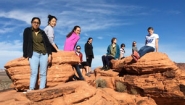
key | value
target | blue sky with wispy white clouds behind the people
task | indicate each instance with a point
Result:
(127, 20)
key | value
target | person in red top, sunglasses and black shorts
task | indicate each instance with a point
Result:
(82, 64)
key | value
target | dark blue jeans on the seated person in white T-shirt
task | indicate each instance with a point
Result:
(145, 49)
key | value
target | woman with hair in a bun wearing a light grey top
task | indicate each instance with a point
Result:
(50, 32)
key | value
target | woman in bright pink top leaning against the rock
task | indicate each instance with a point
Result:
(70, 43)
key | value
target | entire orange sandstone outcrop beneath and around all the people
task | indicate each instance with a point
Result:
(153, 80)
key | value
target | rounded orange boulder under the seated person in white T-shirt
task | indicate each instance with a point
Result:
(153, 62)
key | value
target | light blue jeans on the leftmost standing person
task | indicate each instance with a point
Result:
(38, 59)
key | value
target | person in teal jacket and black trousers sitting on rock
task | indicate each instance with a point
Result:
(113, 52)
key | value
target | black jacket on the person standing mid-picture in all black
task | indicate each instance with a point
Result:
(89, 50)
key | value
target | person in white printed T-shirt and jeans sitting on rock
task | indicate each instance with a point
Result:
(151, 45)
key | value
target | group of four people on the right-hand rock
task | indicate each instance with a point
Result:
(114, 52)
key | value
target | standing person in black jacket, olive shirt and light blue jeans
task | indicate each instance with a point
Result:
(37, 49)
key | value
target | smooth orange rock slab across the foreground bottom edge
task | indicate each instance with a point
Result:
(74, 93)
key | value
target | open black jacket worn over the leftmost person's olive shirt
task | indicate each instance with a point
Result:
(28, 42)
